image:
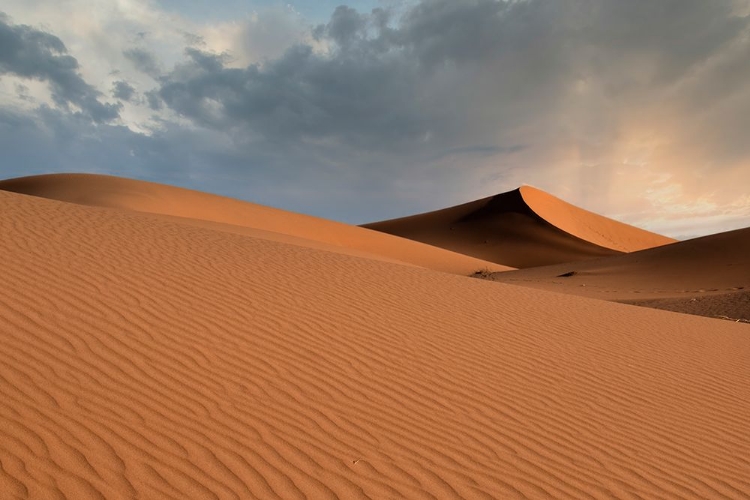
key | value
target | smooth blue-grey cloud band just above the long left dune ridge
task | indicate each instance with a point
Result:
(51, 140)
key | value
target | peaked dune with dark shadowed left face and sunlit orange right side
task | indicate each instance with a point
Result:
(522, 228)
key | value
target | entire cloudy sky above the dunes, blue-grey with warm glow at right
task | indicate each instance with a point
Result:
(374, 109)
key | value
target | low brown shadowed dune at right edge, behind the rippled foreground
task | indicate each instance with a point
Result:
(709, 276)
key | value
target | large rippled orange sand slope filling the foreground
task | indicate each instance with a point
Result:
(142, 357)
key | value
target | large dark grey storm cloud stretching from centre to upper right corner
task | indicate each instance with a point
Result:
(451, 70)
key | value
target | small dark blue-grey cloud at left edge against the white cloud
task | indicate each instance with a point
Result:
(33, 54)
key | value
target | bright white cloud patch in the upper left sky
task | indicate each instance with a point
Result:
(98, 35)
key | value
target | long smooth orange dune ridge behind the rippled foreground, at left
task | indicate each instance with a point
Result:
(227, 214)
